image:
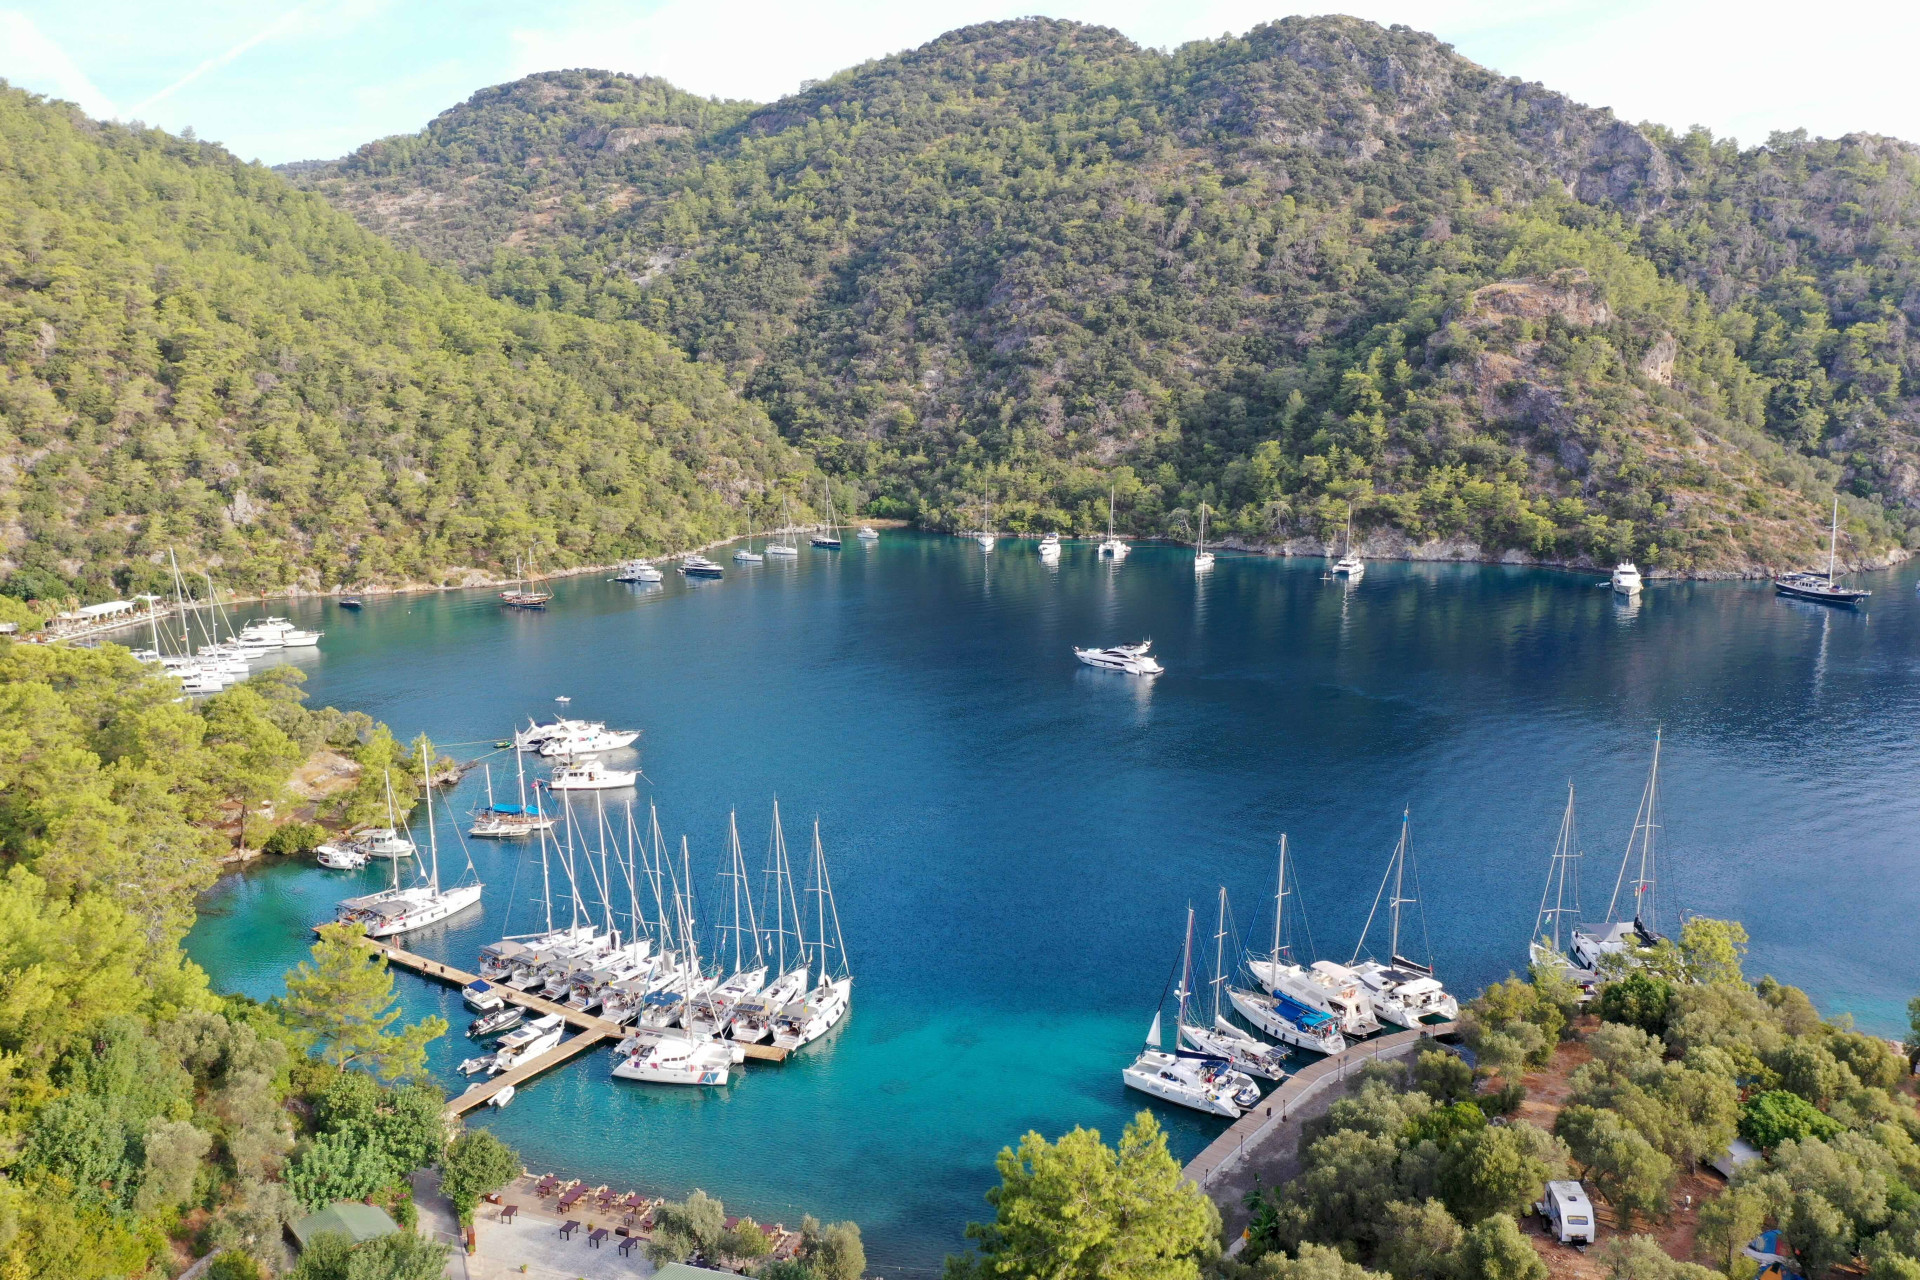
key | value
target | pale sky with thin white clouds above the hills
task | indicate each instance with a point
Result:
(300, 80)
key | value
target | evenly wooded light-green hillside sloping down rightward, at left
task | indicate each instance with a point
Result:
(197, 356)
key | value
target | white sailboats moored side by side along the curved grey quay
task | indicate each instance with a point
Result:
(1285, 1003)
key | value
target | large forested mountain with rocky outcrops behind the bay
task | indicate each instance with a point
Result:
(1274, 273)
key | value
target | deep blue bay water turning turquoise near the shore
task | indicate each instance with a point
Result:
(1015, 838)
